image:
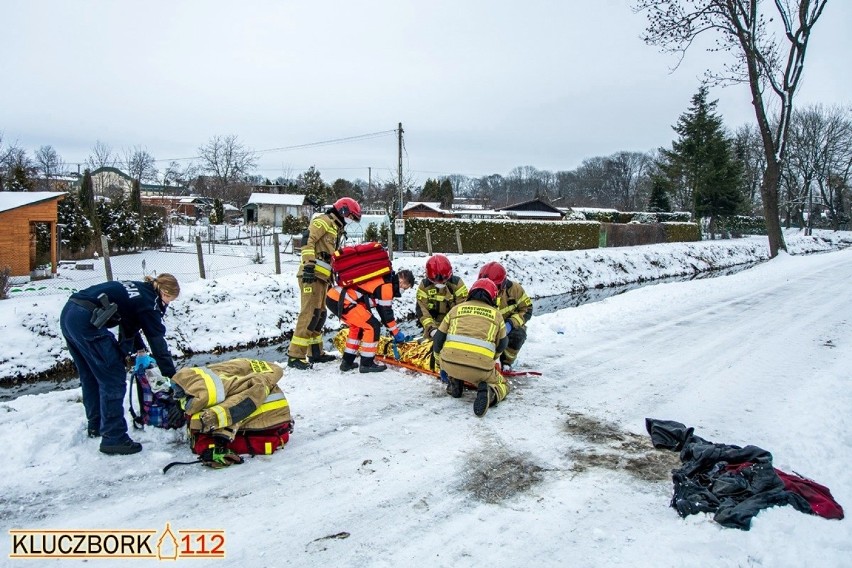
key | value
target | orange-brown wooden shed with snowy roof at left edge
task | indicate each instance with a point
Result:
(21, 212)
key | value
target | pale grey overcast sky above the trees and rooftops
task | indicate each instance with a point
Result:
(480, 86)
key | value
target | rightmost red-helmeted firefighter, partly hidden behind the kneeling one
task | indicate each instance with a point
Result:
(516, 307)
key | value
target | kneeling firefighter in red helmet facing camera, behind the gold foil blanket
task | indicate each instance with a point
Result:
(438, 293)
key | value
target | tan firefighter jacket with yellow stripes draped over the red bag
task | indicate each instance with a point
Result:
(240, 394)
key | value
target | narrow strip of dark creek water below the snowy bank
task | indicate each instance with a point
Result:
(278, 352)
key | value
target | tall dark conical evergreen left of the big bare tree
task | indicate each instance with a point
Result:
(701, 167)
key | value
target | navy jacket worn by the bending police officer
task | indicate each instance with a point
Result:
(141, 309)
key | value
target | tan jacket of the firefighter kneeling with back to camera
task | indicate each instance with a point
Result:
(471, 336)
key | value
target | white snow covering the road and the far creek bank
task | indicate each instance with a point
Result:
(561, 473)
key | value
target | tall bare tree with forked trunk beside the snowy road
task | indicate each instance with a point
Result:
(770, 60)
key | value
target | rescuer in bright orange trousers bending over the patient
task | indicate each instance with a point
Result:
(354, 305)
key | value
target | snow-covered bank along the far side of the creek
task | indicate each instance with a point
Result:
(249, 309)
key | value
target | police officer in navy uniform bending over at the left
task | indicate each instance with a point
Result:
(100, 358)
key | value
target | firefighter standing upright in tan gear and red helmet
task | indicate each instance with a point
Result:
(314, 274)
